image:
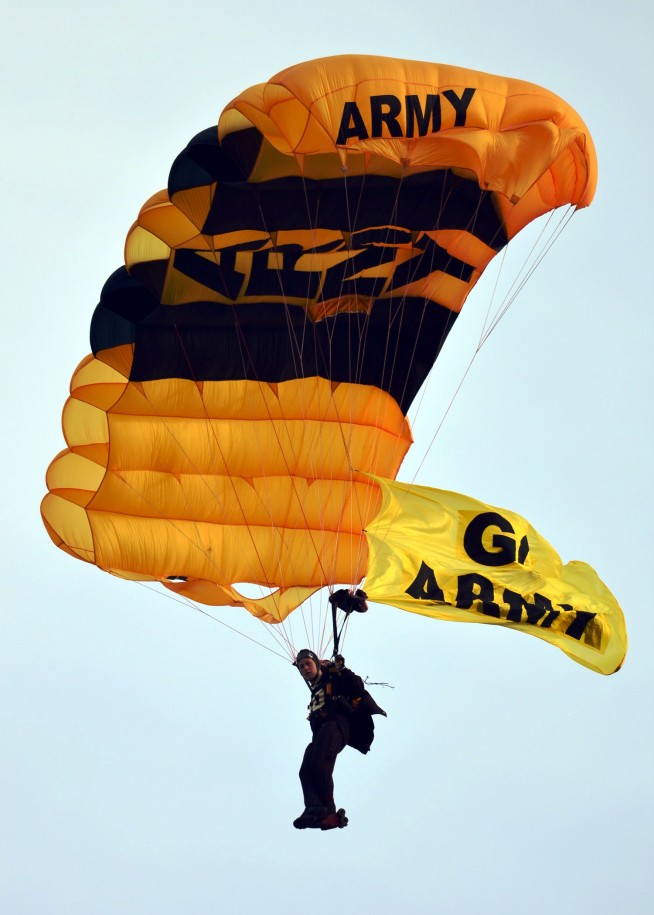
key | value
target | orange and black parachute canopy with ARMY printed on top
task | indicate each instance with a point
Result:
(281, 303)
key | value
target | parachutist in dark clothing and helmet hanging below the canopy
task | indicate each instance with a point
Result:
(340, 715)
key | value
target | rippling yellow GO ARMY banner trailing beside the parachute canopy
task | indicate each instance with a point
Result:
(451, 557)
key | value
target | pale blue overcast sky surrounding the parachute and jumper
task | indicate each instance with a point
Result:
(149, 755)
